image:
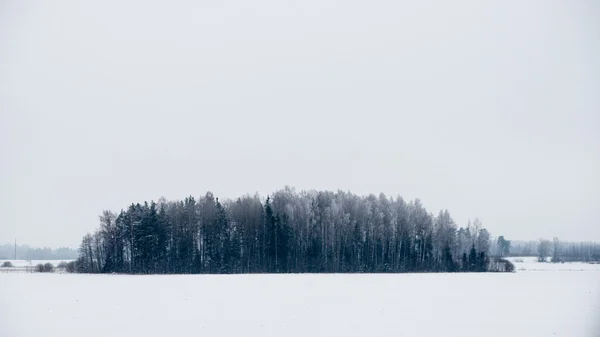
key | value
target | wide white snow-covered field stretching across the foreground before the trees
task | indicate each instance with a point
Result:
(537, 300)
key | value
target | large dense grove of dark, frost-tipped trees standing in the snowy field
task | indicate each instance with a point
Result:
(289, 232)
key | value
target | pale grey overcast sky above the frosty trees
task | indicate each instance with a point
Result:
(488, 109)
